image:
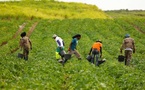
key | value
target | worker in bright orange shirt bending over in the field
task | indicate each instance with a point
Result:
(96, 51)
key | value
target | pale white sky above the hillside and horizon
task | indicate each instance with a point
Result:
(114, 4)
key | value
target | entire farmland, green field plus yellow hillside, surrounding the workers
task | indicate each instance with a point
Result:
(42, 71)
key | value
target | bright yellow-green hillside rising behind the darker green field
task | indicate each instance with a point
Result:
(48, 10)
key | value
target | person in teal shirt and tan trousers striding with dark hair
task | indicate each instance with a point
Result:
(72, 48)
